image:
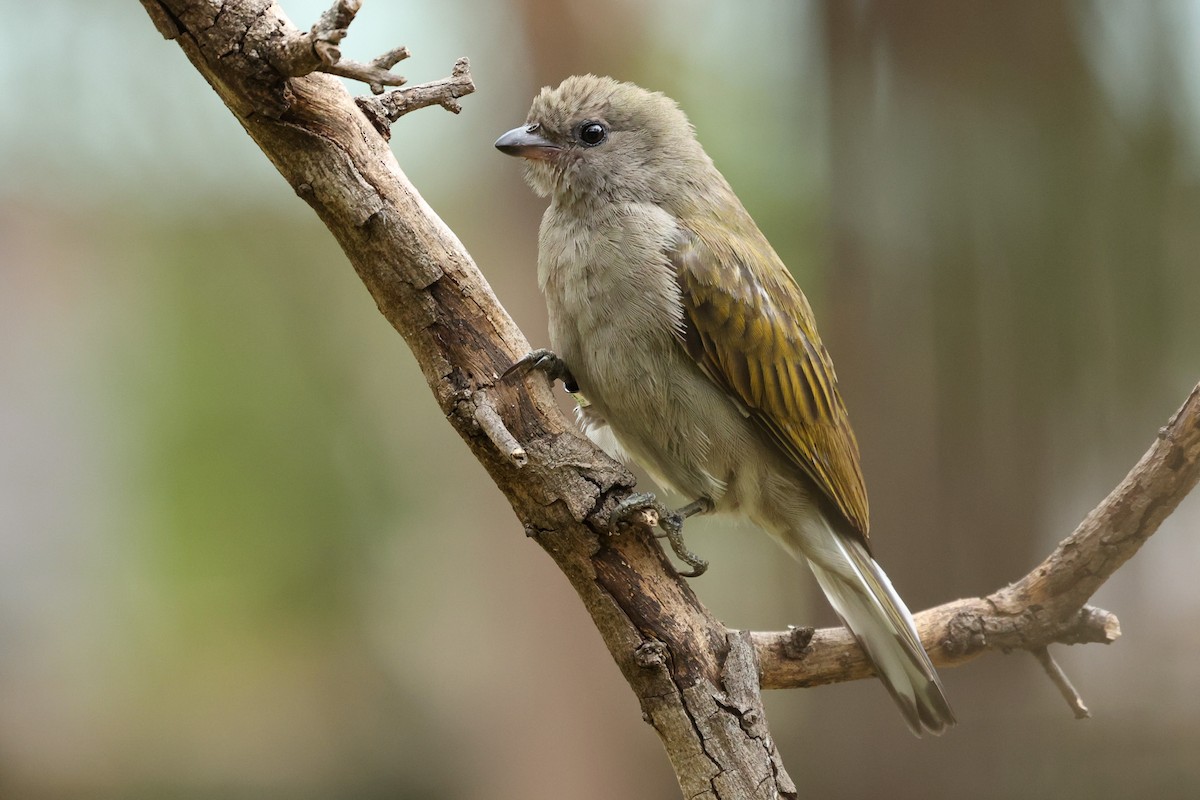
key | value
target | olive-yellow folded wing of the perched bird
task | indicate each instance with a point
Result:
(753, 334)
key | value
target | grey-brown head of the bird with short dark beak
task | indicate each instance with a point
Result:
(597, 140)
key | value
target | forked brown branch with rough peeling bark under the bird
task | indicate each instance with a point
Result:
(698, 683)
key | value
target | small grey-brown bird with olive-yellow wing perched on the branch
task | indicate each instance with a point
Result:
(698, 353)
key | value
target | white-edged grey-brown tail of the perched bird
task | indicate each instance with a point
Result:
(863, 597)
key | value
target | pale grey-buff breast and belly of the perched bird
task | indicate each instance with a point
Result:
(616, 320)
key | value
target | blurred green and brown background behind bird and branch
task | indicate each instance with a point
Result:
(242, 556)
